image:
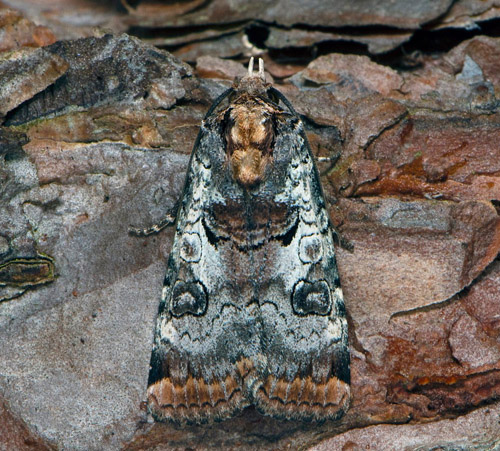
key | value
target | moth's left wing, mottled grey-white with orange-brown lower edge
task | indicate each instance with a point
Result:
(198, 359)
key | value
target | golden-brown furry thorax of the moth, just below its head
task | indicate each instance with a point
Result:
(250, 138)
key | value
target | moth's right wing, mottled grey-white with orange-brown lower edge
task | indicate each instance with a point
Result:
(304, 327)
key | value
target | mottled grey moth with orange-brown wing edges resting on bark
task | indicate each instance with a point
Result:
(252, 311)
